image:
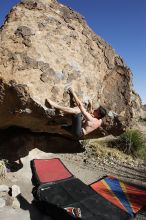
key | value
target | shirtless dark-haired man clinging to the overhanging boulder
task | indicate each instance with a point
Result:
(91, 119)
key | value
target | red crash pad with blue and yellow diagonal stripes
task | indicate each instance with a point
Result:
(125, 196)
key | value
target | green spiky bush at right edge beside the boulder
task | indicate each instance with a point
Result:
(133, 142)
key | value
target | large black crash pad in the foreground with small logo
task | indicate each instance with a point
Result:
(57, 197)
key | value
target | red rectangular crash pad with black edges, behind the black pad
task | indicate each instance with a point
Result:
(48, 170)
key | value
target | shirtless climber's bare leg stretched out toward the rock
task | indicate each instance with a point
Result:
(67, 110)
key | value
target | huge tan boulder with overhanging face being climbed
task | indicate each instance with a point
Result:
(46, 47)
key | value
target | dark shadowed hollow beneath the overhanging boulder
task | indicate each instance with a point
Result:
(16, 142)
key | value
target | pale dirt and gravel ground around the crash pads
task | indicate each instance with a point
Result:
(86, 160)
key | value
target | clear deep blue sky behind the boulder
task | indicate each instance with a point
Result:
(122, 23)
